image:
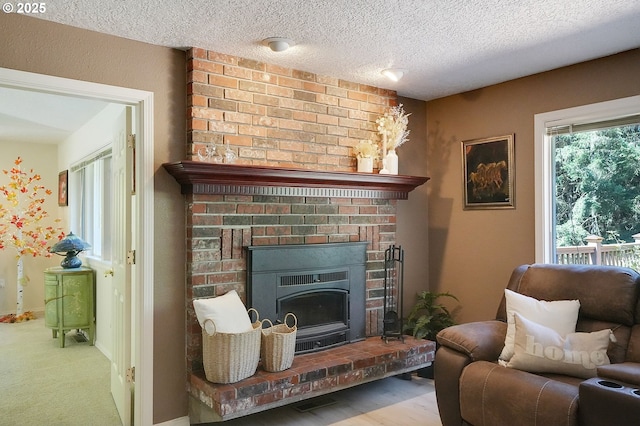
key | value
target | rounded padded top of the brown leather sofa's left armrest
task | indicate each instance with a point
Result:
(481, 340)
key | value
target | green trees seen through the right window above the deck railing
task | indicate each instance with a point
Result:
(597, 175)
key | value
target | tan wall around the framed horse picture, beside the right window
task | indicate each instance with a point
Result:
(472, 253)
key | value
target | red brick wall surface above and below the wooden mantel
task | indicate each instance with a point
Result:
(278, 117)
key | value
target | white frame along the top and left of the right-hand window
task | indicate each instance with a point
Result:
(544, 162)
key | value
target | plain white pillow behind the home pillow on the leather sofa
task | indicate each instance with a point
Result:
(559, 315)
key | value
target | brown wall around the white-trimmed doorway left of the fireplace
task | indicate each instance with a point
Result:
(38, 46)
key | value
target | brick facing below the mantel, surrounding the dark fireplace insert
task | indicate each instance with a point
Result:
(221, 225)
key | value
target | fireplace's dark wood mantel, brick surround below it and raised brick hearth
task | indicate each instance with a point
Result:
(288, 206)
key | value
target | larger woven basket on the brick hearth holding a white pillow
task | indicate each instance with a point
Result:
(231, 357)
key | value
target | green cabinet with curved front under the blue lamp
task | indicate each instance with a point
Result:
(69, 301)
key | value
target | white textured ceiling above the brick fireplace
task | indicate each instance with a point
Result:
(445, 46)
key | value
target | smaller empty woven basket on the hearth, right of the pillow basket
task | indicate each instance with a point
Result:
(278, 345)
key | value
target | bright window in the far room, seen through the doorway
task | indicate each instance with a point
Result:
(92, 216)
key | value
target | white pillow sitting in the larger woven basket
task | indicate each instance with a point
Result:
(227, 312)
